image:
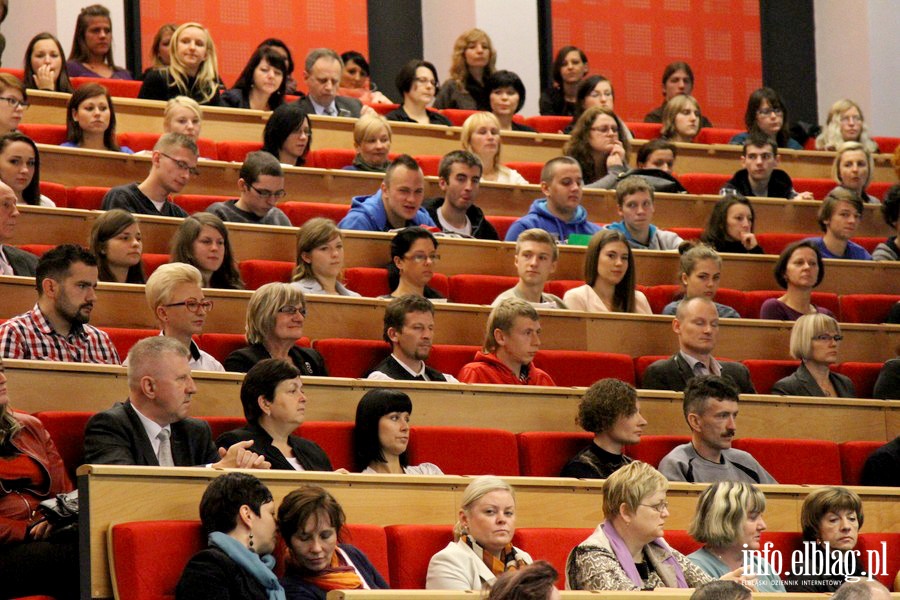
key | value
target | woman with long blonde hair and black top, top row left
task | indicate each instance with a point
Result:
(193, 70)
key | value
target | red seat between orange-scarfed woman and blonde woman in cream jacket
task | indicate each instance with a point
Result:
(410, 548)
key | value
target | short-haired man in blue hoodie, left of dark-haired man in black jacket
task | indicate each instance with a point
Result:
(396, 205)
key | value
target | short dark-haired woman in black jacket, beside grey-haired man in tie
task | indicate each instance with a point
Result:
(274, 406)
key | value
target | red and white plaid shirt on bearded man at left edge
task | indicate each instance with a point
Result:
(30, 336)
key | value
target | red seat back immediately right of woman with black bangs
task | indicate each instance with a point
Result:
(497, 451)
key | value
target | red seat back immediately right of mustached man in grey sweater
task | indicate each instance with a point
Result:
(796, 461)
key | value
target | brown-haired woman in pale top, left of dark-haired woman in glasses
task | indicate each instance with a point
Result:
(320, 259)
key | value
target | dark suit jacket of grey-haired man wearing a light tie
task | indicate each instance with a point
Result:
(117, 437)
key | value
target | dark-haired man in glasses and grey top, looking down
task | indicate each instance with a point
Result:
(262, 185)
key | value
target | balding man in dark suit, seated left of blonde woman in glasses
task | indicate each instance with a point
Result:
(696, 324)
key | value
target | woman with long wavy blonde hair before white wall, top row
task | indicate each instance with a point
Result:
(473, 61)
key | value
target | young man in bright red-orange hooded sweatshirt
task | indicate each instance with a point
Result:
(512, 339)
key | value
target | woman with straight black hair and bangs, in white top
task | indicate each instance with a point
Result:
(381, 435)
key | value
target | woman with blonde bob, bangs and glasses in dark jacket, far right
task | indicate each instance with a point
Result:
(815, 340)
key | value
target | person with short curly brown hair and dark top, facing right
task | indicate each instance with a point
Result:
(609, 410)
